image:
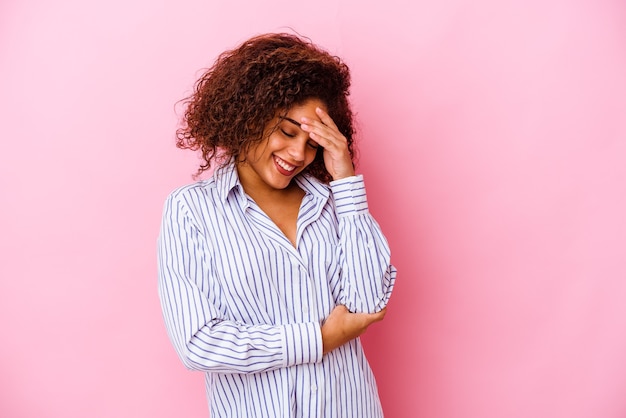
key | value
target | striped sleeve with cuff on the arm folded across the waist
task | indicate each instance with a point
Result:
(202, 334)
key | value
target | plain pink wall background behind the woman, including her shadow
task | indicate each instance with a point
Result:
(493, 141)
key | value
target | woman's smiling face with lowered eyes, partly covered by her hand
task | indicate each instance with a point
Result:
(274, 162)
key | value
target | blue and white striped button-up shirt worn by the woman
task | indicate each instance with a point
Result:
(245, 306)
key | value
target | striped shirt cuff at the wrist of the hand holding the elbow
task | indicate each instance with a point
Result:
(303, 343)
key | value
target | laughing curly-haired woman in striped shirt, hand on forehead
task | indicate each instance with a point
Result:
(271, 269)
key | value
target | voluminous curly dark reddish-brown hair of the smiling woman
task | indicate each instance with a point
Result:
(246, 88)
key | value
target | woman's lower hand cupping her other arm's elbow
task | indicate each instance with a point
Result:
(342, 326)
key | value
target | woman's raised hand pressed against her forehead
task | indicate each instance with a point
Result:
(336, 154)
